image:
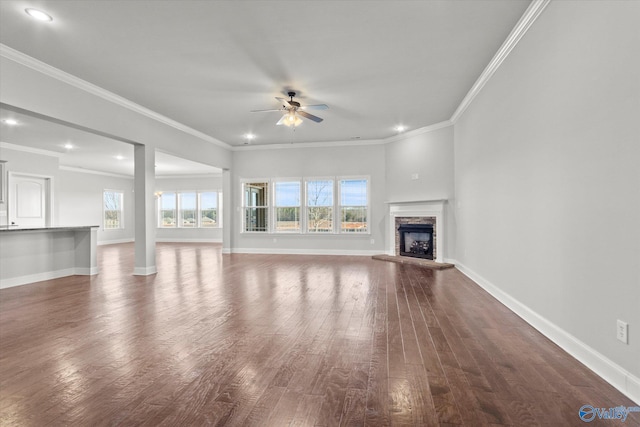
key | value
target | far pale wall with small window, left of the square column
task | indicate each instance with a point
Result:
(79, 199)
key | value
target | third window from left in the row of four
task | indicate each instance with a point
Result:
(319, 198)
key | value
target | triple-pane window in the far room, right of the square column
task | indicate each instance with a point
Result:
(189, 209)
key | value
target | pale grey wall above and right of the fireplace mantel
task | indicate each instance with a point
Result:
(429, 155)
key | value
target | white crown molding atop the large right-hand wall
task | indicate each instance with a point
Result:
(528, 18)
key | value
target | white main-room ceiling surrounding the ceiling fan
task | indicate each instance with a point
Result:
(206, 64)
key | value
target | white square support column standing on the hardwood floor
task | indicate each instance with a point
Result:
(145, 213)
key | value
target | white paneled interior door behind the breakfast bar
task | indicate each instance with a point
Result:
(28, 200)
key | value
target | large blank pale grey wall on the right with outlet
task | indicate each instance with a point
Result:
(547, 172)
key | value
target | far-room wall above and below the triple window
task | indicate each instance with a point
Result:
(202, 183)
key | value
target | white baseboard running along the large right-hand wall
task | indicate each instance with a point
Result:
(611, 372)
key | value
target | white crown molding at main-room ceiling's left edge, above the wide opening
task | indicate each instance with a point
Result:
(48, 70)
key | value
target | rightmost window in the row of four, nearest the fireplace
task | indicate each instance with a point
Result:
(353, 206)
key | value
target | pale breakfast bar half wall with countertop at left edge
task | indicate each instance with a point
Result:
(30, 255)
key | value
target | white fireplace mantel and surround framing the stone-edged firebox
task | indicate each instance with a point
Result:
(418, 208)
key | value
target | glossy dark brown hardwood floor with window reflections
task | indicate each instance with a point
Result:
(278, 340)
